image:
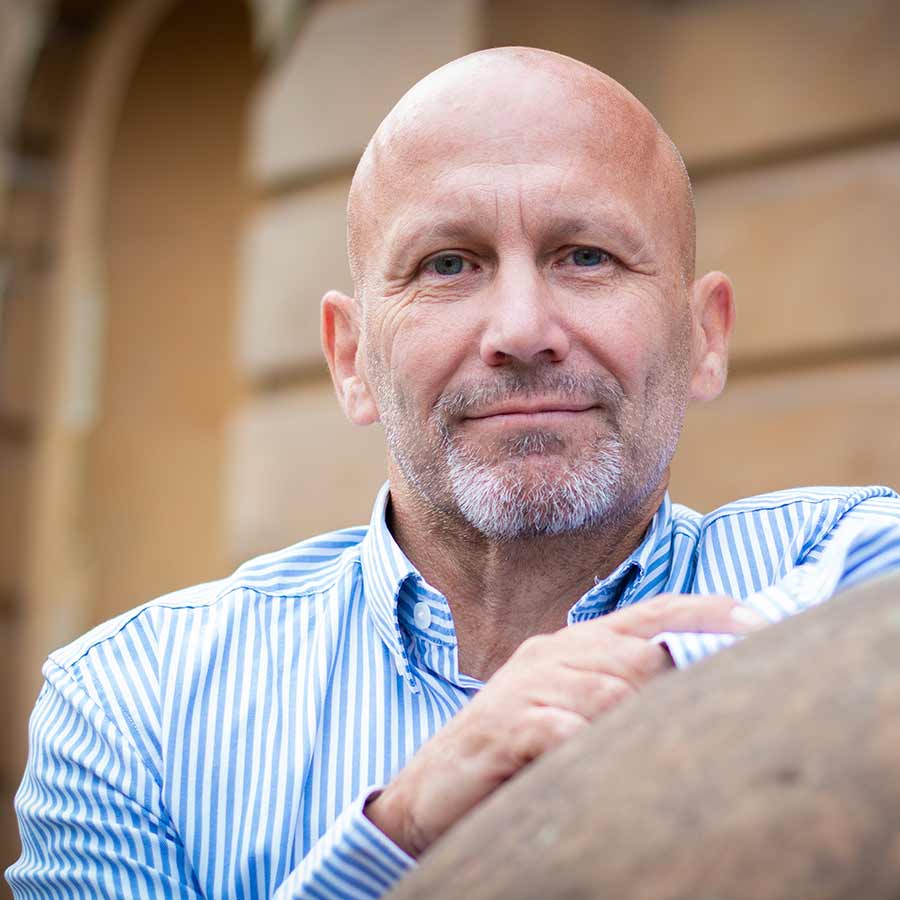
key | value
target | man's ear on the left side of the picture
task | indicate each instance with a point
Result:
(340, 341)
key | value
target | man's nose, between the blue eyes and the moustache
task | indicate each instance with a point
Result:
(522, 322)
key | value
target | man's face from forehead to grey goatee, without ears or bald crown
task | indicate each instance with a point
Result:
(526, 333)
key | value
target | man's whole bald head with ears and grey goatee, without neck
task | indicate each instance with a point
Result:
(526, 323)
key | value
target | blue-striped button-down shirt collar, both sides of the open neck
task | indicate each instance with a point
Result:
(386, 570)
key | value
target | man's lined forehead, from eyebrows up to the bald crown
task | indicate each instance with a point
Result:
(500, 180)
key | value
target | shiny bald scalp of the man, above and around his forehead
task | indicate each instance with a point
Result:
(535, 103)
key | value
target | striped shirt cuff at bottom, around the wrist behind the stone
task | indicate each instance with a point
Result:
(353, 859)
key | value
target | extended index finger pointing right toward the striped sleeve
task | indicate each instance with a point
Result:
(710, 614)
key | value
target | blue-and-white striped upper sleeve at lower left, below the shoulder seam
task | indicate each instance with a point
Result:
(90, 814)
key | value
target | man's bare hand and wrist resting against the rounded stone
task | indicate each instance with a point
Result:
(549, 689)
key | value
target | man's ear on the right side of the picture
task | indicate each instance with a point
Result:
(712, 303)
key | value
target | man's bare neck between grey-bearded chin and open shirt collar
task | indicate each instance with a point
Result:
(502, 592)
